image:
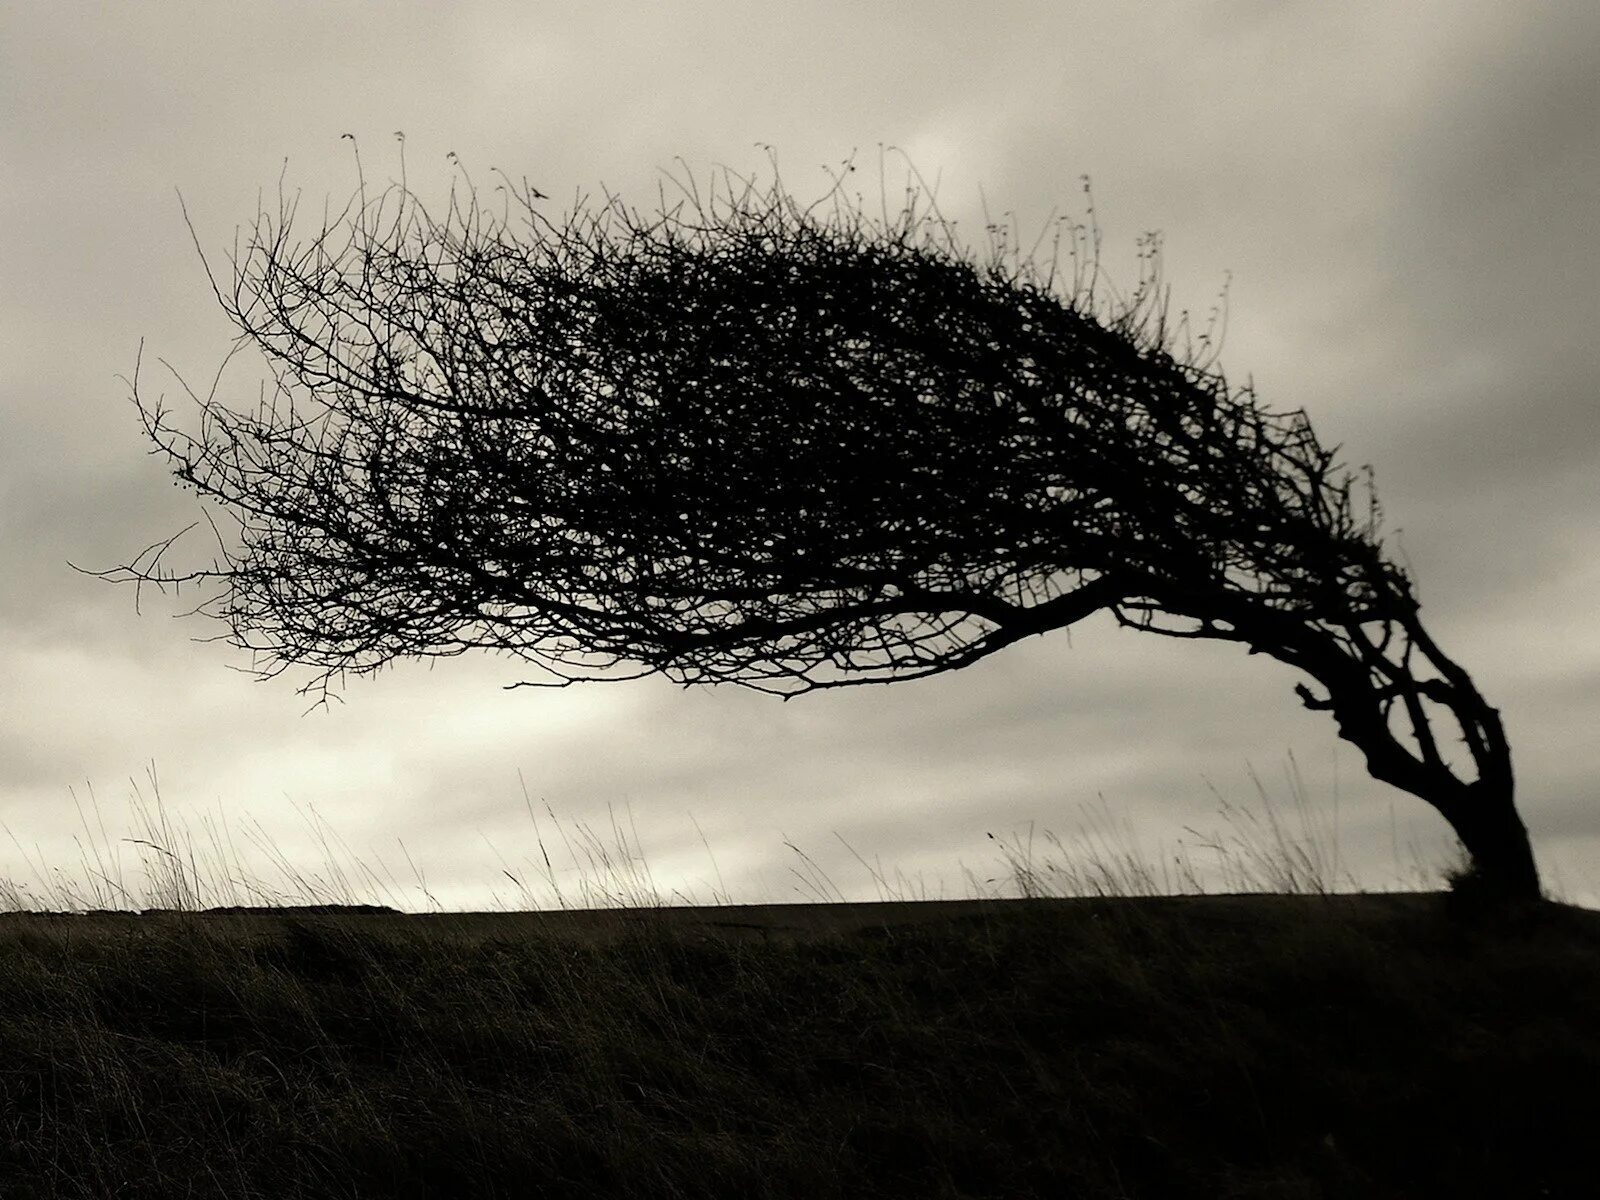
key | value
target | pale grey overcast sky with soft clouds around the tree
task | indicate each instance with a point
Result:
(1404, 202)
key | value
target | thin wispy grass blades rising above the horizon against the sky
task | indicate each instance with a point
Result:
(575, 865)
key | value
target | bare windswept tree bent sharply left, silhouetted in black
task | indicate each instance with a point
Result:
(743, 441)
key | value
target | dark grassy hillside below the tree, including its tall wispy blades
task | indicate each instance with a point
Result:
(1090, 1039)
